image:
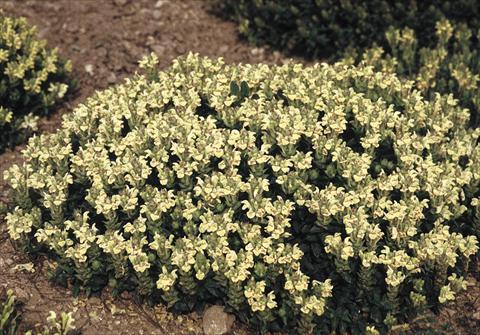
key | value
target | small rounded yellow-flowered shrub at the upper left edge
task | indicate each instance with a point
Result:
(32, 79)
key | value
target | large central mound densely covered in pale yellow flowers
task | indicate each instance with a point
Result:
(317, 198)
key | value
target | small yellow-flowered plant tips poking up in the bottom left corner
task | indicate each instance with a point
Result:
(10, 315)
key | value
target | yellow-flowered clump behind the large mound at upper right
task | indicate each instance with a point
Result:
(452, 64)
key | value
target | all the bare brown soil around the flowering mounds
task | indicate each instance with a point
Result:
(105, 39)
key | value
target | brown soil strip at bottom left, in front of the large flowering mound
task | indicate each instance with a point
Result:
(96, 315)
